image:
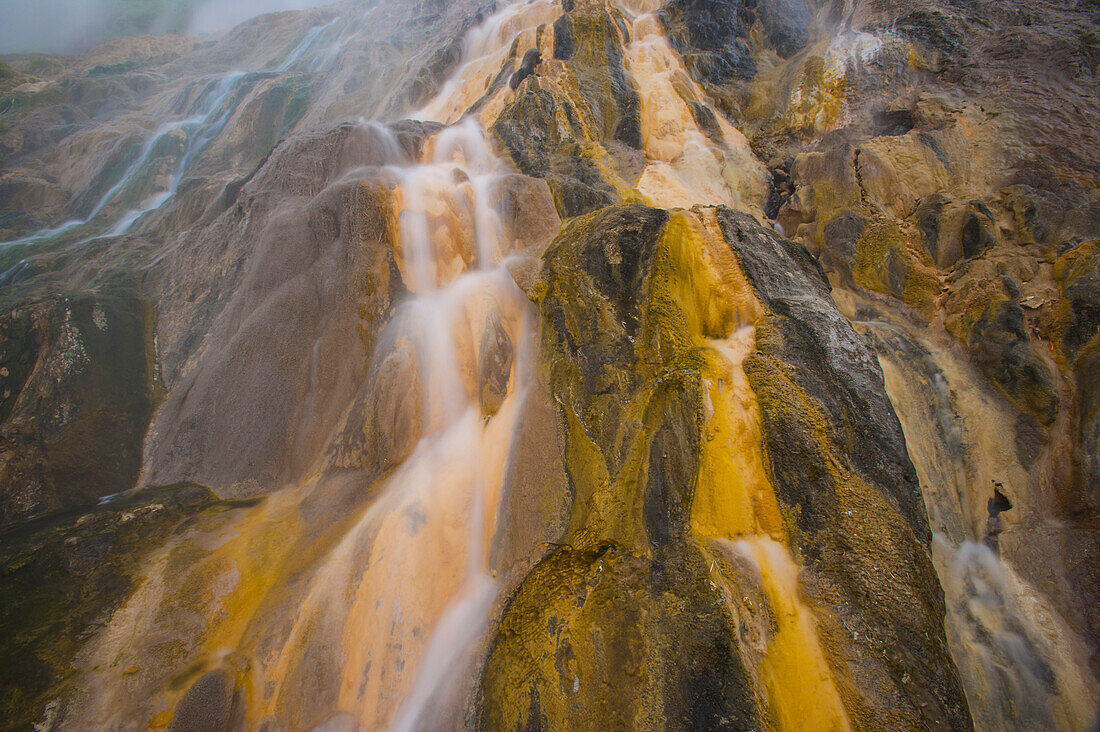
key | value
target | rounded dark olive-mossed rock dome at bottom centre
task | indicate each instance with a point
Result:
(588, 621)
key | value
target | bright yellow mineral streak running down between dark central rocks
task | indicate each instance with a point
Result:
(734, 501)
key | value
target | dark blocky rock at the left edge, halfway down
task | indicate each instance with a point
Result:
(78, 398)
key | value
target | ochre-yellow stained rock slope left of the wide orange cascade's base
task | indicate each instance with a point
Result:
(212, 581)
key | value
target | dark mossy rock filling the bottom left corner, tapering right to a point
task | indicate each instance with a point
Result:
(71, 571)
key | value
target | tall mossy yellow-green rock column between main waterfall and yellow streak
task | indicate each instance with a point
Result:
(624, 604)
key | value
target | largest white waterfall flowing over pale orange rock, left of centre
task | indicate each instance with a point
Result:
(416, 562)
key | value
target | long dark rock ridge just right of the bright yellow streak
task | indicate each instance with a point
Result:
(840, 466)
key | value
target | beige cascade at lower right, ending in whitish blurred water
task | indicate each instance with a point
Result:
(1019, 659)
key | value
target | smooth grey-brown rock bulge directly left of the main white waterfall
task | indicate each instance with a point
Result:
(324, 263)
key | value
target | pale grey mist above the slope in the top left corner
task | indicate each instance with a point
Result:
(61, 27)
